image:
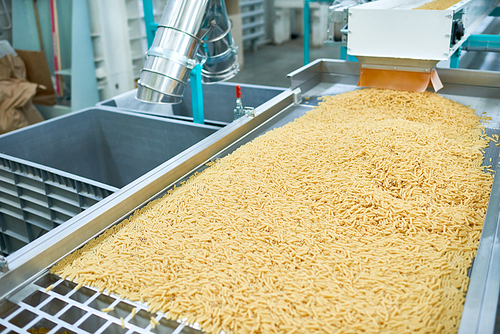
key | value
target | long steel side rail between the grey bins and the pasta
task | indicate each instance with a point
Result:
(45, 251)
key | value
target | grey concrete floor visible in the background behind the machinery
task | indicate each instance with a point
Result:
(270, 64)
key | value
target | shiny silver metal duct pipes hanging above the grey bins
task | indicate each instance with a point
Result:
(183, 28)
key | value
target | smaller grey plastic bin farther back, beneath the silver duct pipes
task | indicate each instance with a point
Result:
(219, 101)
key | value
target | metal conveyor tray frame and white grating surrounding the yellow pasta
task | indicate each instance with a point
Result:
(63, 308)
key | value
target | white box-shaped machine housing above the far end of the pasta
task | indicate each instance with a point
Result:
(393, 29)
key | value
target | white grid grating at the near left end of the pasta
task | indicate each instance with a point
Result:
(78, 311)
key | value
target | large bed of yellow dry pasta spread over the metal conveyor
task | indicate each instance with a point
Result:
(362, 215)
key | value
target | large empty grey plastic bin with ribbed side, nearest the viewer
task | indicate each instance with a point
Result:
(51, 171)
